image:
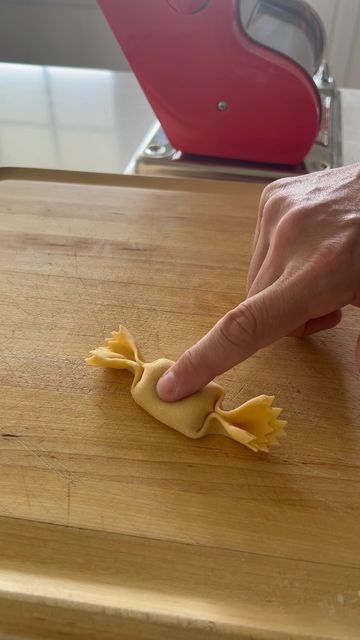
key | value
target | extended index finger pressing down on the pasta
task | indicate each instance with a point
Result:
(254, 324)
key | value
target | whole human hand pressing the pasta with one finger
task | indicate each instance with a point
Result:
(305, 268)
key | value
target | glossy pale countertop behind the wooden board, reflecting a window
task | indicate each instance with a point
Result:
(91, 120)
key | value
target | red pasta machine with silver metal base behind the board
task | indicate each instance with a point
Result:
(238, 86)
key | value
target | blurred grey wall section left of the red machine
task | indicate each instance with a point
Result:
(57, 32)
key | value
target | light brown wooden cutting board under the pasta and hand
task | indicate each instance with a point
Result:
(112, 525)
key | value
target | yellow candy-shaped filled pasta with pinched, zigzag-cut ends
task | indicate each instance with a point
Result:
(254, 424)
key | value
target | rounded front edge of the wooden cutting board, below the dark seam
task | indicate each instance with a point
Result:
(64, 582)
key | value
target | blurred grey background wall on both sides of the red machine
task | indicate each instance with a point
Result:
(74, 33)
